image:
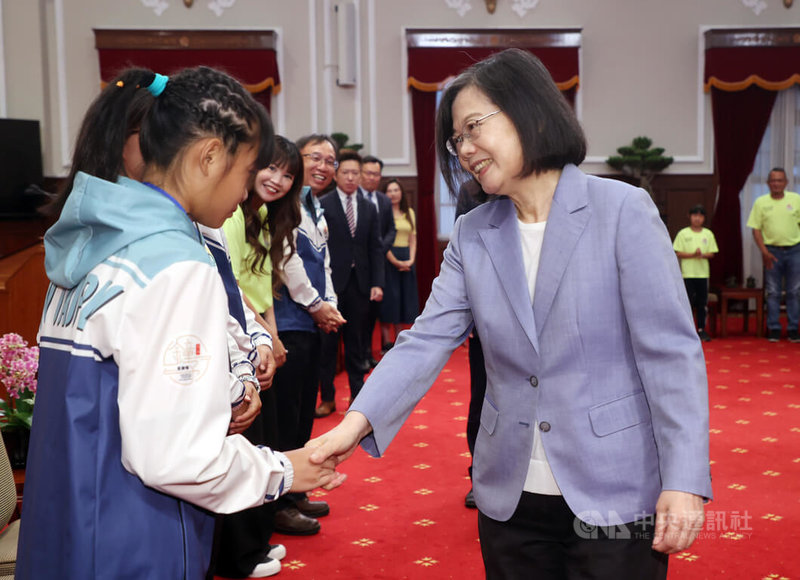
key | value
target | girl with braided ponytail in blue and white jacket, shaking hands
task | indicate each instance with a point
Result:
(129, 449)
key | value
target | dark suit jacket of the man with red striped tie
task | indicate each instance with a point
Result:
(364, 249)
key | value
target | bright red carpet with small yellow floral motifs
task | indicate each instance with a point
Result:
(403, 516)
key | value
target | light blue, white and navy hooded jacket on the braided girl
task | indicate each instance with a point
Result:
(128, 451)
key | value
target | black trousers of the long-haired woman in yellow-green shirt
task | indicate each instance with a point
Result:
(241, 539)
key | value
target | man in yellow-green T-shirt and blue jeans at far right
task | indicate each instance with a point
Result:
(774, 219)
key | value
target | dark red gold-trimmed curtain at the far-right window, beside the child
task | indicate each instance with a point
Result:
(743, 81)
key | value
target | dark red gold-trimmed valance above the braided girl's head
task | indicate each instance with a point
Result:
(257, 69)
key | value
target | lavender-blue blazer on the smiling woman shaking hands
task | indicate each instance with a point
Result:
(607, 360)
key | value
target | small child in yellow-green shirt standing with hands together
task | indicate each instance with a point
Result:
(694, 246)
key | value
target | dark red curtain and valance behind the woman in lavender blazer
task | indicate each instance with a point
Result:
(429, 69)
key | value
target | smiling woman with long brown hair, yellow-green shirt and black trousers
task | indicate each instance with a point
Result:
(259, 233)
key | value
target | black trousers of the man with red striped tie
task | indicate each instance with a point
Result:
(354, 306)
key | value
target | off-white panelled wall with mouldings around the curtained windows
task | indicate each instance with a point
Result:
(641, 64)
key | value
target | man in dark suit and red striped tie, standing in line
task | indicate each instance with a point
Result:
(357, 260)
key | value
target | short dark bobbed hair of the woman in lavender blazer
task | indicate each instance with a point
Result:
(519, 84)
